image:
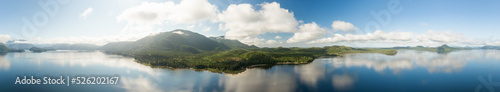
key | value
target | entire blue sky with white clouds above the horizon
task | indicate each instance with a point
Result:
(264, 23)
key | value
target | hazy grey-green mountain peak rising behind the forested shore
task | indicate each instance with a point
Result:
(178, 41)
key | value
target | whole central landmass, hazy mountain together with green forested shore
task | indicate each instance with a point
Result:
(186, 49)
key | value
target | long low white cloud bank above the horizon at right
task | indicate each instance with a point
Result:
(400, 37)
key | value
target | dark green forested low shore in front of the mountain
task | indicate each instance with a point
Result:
(234, 61)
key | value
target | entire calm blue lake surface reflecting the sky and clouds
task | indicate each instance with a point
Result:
(407, 71)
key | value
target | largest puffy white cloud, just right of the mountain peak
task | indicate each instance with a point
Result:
(242, 21)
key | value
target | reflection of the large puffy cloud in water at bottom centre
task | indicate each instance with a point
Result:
(259, 80)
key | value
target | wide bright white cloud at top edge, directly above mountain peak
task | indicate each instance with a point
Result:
(186, 12)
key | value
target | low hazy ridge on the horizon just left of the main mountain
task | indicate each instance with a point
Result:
(74, 47)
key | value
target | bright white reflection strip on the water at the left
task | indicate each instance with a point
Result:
(73, 58)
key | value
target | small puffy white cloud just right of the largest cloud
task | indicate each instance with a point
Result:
(307, 32)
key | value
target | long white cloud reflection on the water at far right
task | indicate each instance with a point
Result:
(409, 59)
